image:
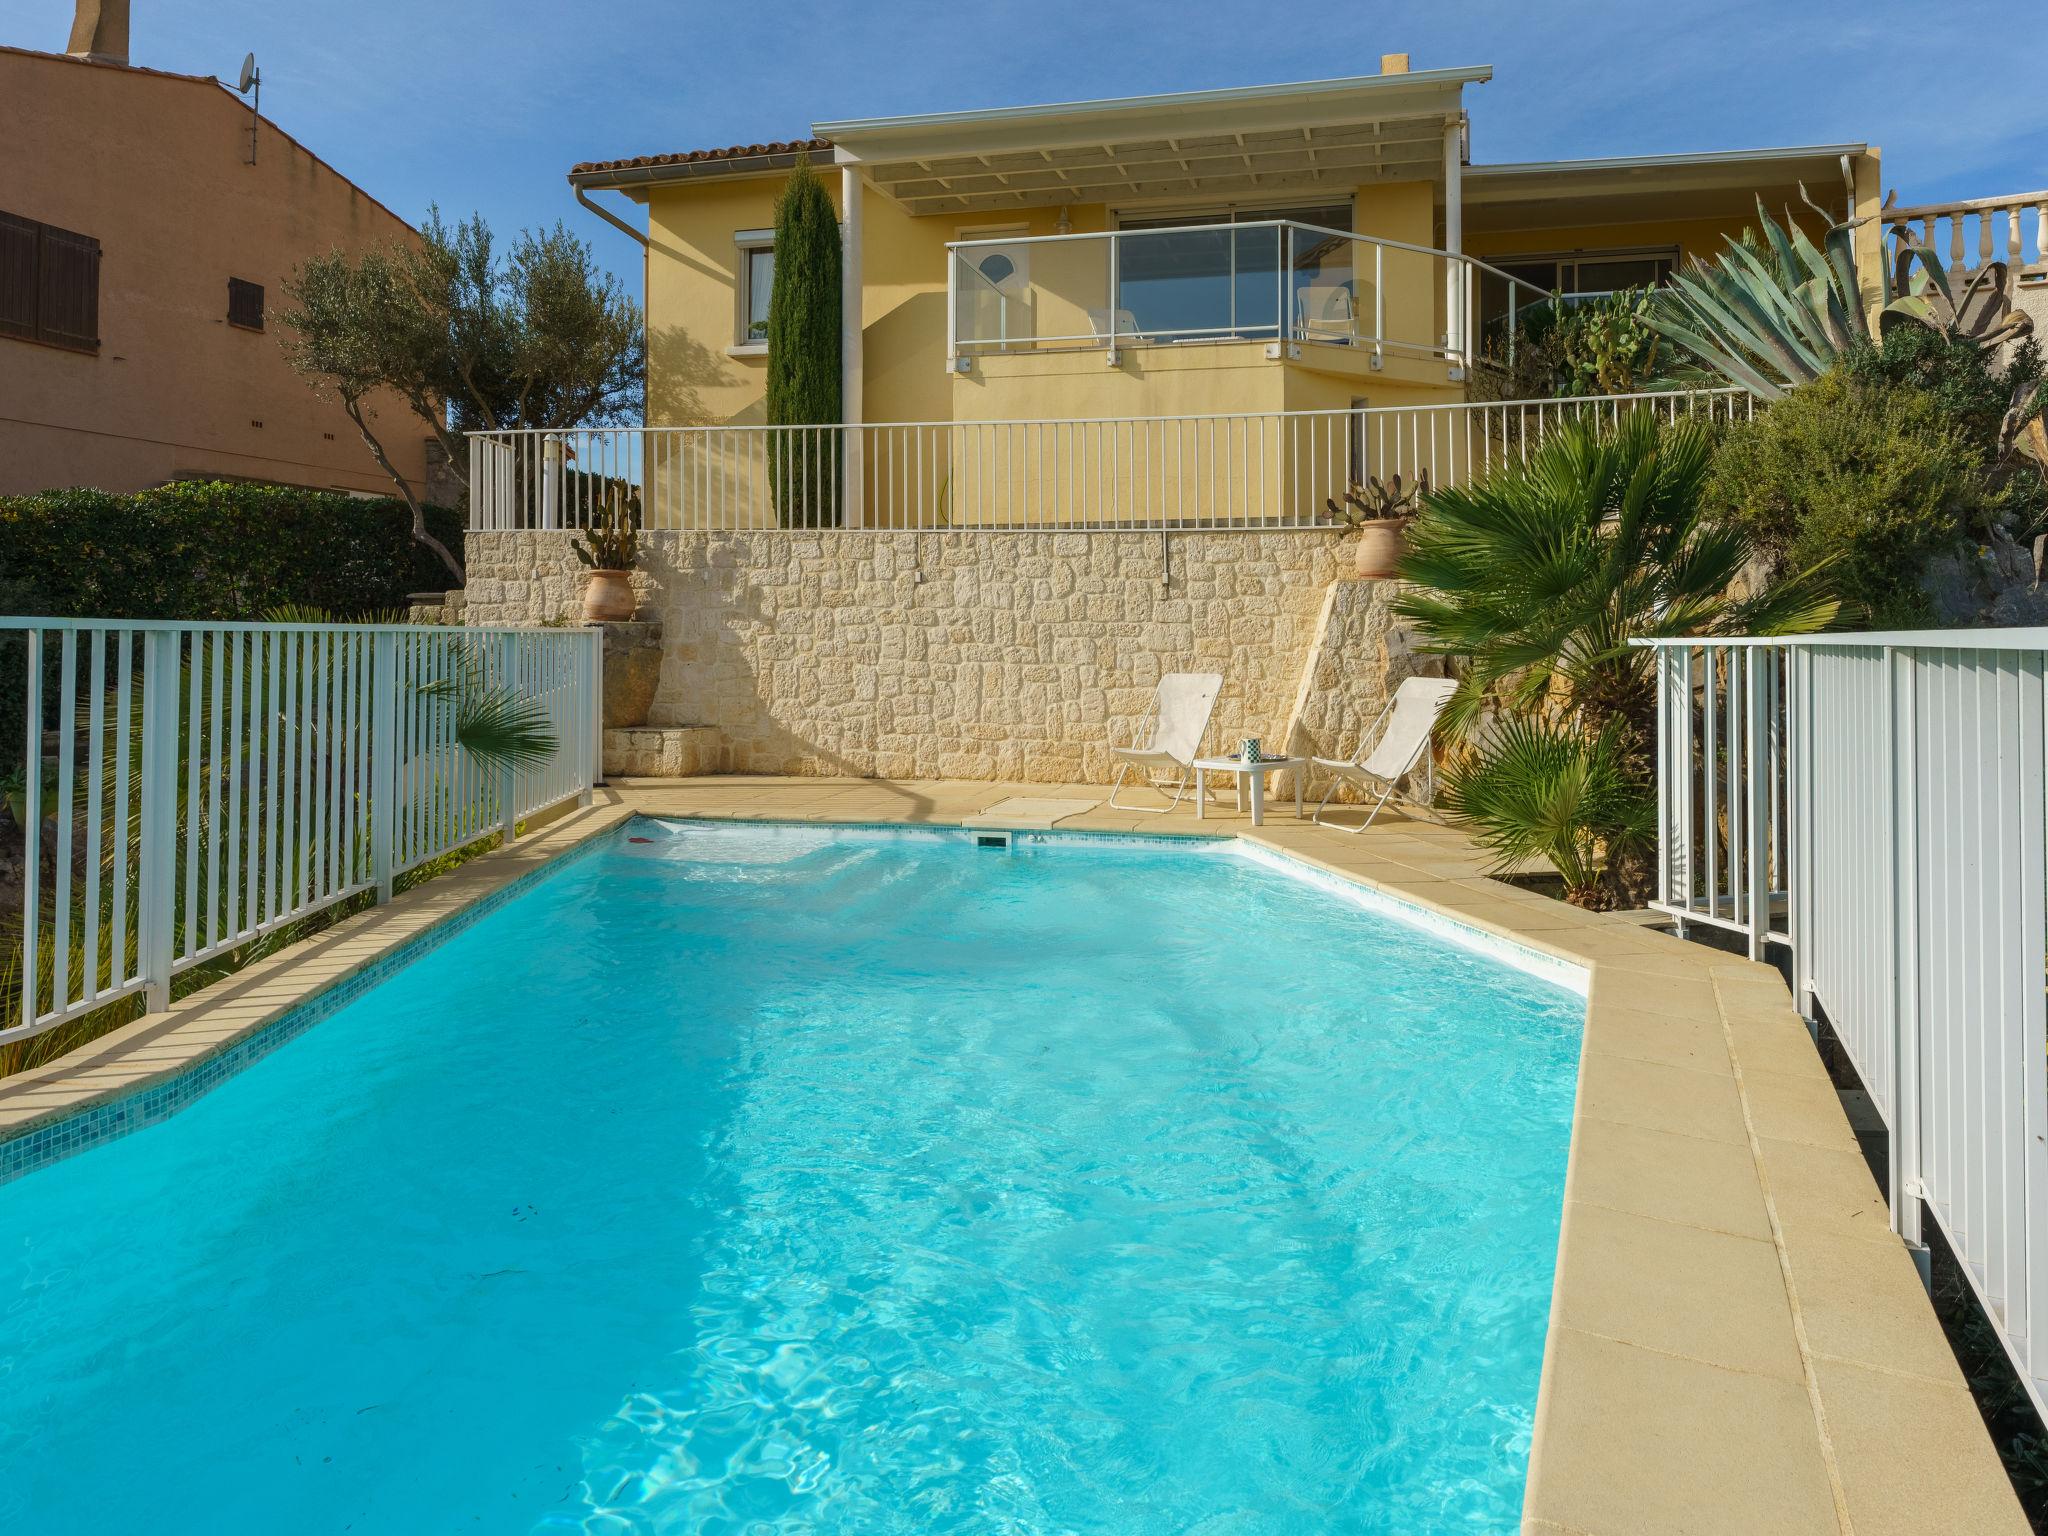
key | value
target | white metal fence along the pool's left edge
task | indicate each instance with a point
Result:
(185, 790)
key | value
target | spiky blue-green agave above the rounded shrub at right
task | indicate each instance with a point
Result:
(1777, 310)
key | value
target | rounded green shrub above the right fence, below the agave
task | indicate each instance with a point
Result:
(1867, 476)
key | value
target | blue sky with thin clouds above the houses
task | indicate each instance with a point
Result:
(482, 108)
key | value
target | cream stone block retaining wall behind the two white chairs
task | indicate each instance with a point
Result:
(980, 656)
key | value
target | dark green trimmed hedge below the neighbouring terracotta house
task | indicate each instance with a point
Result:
(214, 550)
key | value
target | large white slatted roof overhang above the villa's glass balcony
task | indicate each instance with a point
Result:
(1244, 142)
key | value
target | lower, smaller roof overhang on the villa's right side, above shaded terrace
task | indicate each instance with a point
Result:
(1654, 187)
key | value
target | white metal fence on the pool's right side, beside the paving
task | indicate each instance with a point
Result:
(1879, 808)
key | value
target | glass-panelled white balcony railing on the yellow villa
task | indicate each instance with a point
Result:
(1267, 282)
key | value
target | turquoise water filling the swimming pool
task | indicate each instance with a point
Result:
(779, 1181)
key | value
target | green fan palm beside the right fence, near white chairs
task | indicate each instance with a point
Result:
(1541, 577)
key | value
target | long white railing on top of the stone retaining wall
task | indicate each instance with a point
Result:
(1142, 474)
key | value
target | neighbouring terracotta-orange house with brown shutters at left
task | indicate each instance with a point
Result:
(148, 224)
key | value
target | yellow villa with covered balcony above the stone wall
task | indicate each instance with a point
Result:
(1220, 302)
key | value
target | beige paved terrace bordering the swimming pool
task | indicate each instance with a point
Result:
(1738, 1342)
